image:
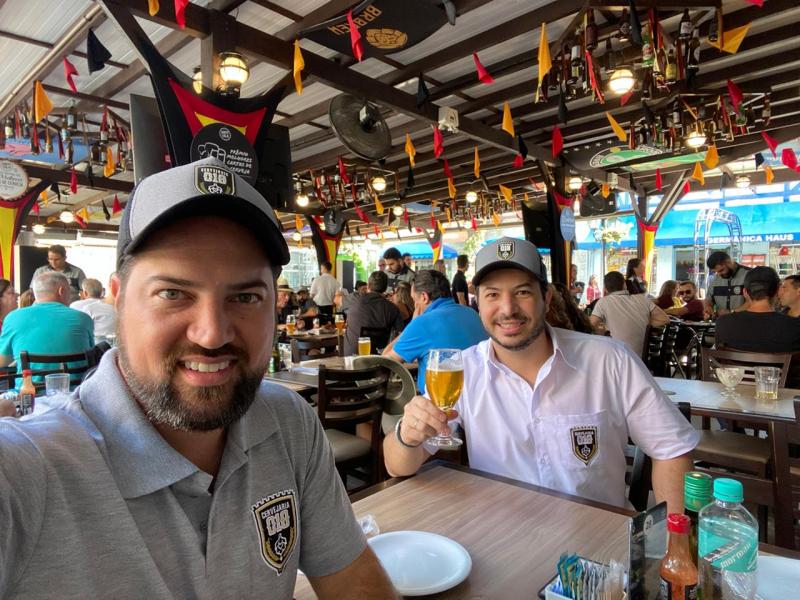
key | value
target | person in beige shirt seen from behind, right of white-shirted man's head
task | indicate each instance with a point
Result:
(626, 315)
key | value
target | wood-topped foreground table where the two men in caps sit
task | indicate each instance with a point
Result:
(513, 531)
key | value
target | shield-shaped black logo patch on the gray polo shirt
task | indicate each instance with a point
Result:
(276, 522)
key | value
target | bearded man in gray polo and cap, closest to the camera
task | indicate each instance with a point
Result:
(174, 471)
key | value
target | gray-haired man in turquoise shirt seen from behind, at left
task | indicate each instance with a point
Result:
(47, 327)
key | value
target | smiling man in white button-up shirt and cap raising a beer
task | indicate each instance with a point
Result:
(549, 406)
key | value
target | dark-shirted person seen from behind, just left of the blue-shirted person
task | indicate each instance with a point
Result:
(372, 310)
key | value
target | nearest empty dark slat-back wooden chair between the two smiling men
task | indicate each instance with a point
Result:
(345, 398)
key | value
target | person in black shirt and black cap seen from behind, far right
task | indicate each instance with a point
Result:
(759, 328)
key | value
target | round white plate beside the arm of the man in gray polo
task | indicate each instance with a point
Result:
(421, 563)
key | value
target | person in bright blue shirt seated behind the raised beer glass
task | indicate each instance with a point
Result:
(439, 322)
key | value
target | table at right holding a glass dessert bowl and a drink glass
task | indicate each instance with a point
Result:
(706, 400)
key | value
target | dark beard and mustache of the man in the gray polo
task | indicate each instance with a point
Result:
(211, 407)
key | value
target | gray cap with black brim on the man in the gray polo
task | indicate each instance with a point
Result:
(205, 187)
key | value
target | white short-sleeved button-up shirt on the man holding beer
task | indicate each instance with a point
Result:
(569, 431)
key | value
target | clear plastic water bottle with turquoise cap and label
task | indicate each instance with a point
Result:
(728, 546)
